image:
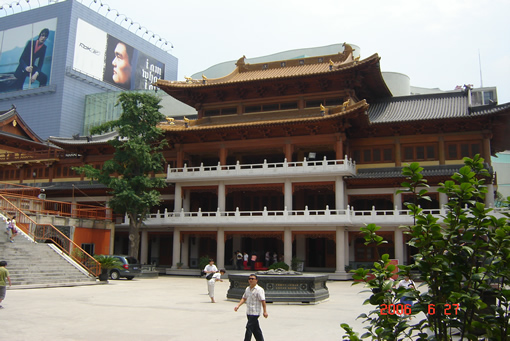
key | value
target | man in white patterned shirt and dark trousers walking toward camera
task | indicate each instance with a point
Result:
(255, 299)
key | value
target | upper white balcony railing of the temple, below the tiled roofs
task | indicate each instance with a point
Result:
(305, 168)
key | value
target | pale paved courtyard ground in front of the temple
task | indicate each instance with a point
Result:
(167, 308)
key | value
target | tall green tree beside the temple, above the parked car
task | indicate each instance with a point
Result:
(130, 173)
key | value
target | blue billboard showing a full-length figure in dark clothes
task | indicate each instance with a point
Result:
(26, 54)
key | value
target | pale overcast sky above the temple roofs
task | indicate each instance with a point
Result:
(437, 43)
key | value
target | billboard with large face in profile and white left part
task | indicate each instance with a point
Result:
(104, 57)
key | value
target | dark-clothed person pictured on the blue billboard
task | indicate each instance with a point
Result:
(31, 62)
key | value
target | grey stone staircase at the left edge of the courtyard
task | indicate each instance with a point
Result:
(38, 265)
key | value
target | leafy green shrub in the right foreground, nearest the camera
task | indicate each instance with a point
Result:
(464, 261)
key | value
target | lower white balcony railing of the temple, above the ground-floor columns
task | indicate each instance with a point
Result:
(320, 218)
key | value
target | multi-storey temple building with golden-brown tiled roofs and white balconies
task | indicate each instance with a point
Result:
(293, 157)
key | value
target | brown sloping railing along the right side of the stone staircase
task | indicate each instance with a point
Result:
(47, 233)
